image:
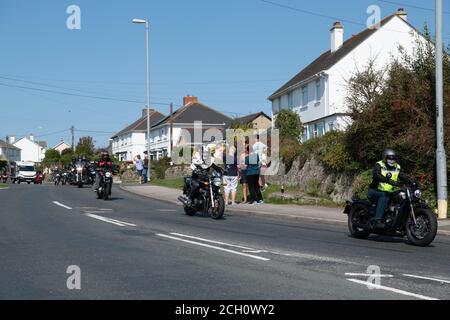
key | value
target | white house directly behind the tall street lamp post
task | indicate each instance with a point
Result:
(131, 141)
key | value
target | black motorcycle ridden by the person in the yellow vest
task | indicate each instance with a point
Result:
(406, 215)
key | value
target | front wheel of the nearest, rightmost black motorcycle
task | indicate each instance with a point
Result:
(424, 232)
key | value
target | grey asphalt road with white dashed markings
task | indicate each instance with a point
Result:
(136, 248)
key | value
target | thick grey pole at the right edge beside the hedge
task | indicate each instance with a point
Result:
(441, 162)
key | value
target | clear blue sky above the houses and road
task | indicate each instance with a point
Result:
(232, 54)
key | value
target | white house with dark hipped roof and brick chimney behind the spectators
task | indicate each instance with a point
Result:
(162, 141)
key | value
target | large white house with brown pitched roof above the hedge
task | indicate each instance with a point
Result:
(318, 91)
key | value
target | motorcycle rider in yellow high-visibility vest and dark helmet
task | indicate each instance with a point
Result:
(387, 177)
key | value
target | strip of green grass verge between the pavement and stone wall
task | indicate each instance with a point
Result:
(178, 184)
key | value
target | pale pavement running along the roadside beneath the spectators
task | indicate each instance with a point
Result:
(308, 213)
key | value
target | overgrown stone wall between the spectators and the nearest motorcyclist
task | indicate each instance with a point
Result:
(313, 179)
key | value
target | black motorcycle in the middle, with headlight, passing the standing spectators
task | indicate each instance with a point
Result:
(208, 198)
